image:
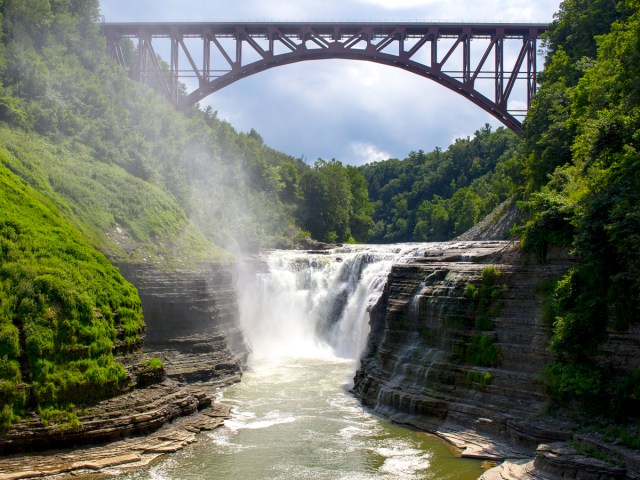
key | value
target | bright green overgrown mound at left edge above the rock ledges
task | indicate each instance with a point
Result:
(64, 309)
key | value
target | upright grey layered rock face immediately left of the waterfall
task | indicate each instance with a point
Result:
(192, 321)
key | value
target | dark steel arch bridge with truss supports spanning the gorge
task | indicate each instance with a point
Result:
(459, 56)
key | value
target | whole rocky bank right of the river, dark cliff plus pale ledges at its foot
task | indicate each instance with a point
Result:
(468, 370)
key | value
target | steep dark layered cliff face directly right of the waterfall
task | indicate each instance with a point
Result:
(431, 363)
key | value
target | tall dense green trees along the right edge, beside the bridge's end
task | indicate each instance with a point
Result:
(582, 148)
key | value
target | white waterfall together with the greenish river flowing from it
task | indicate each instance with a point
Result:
(305, 317)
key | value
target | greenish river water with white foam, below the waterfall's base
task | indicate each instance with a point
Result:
(295, 419)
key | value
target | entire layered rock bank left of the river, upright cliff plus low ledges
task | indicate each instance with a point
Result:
(193, 327)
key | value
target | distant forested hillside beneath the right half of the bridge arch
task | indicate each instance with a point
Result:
(438, 195)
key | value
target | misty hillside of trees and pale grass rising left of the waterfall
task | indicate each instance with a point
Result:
(102, 129)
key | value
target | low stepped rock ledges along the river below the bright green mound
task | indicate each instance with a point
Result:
(162, 415)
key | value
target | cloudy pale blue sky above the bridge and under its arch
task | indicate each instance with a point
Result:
(354, 111)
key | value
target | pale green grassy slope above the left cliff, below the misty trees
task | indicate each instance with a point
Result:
(127, 218)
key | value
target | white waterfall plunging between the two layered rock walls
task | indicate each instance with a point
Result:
(297, 304)
